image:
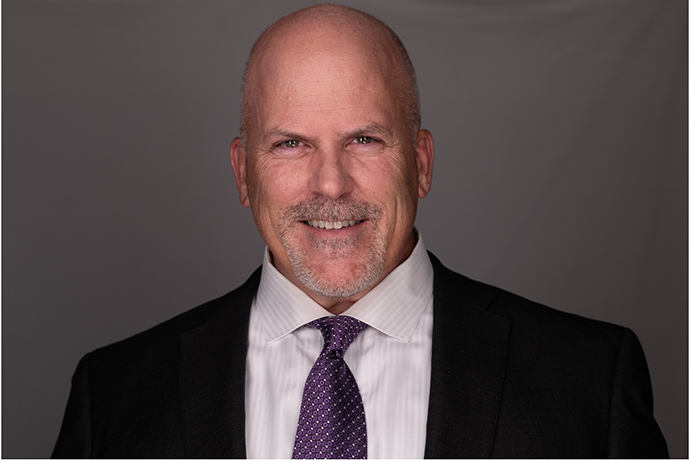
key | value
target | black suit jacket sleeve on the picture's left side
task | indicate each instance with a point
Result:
(74, 440)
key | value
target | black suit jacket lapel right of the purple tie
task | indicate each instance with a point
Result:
(468, 360)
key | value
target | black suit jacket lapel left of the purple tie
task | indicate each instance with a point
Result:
(212, 377)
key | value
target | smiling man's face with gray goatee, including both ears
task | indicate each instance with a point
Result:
(331, 172)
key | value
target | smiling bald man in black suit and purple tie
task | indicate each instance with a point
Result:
(331, 161)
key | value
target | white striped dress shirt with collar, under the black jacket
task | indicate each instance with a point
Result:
(390, 359)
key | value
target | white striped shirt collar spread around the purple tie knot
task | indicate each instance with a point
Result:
(394, 306)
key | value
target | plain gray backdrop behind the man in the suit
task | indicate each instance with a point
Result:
(561, 171)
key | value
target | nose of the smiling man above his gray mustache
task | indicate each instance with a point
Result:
(330, 174)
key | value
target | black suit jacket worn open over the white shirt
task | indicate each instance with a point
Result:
(509, 378)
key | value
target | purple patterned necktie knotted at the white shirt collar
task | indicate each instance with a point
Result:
(331, 421)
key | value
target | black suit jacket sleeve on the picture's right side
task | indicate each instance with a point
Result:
(633, 432)
